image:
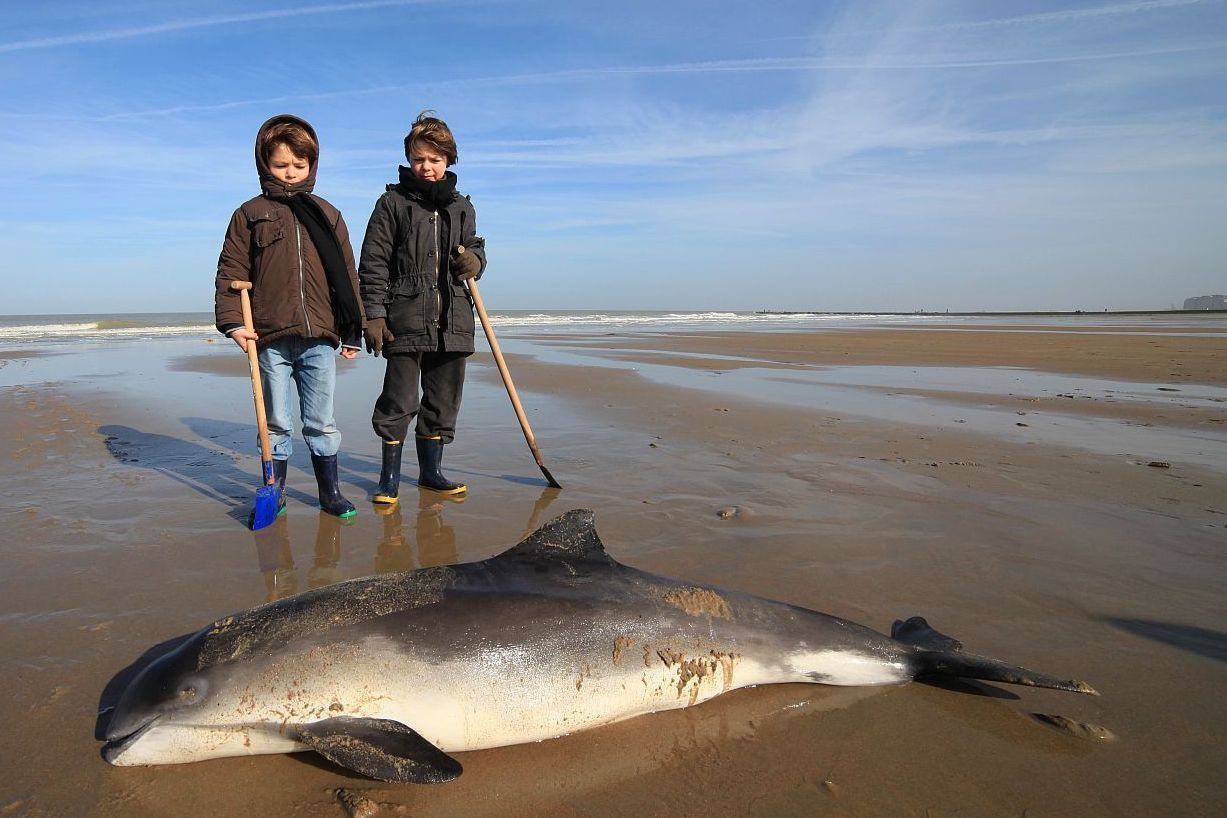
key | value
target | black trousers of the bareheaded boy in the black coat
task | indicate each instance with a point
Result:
(442, 378)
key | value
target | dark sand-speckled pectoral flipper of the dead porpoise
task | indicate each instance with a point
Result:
(381, 749)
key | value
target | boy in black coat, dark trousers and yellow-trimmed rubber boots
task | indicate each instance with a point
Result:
(420, 316)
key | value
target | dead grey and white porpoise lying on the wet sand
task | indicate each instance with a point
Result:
(388, 675)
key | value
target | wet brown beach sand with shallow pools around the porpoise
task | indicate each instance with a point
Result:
(1050, 496)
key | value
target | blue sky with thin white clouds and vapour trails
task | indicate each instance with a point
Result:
(817, 155)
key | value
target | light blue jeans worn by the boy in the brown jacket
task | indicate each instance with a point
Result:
(311, 365)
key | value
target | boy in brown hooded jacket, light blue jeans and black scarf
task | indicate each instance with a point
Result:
(295, 250)
